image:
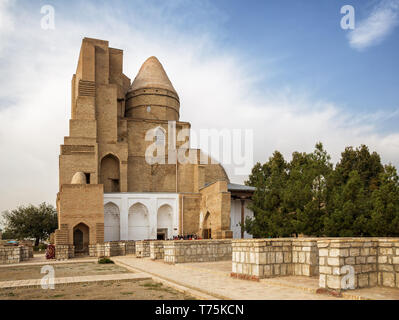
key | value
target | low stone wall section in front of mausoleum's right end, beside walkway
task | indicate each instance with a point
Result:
(181, 251)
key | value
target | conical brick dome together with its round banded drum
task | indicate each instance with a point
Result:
(151, 95)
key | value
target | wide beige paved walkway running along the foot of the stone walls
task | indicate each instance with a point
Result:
(213, 279)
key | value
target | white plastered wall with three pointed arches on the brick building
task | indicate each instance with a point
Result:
(138, 216)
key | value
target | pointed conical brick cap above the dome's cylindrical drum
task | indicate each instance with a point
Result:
(152, 75)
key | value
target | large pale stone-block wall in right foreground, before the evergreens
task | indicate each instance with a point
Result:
(341, 263)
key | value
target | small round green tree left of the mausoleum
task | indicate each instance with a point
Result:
(31, 222)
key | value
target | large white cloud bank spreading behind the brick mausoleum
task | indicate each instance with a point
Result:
(217, 90)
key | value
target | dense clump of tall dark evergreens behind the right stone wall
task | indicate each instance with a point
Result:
(308, 196)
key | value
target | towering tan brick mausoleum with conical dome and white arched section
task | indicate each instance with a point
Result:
(108, 190)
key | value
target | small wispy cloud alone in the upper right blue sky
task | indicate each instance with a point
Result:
(375, 28)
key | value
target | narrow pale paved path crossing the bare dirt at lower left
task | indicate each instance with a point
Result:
(72, 280)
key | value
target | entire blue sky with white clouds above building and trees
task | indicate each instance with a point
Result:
(286, 70)
